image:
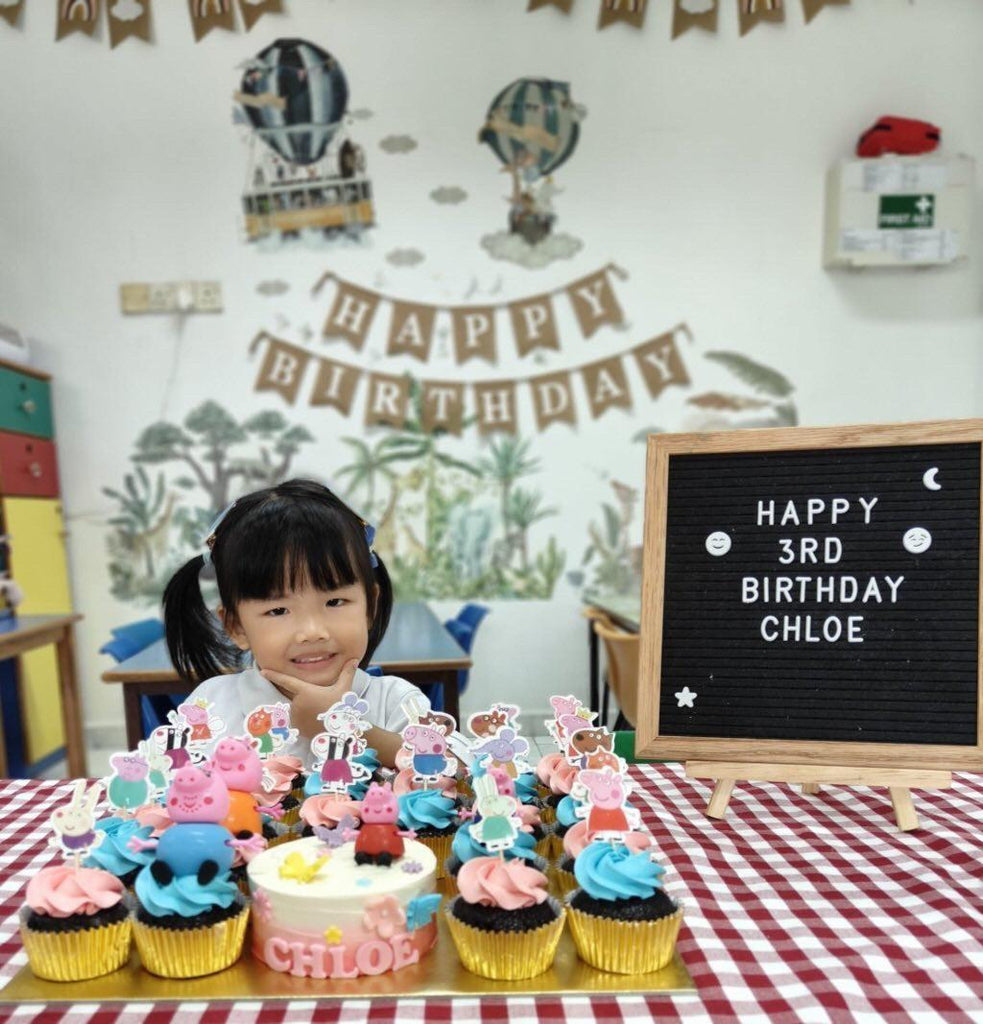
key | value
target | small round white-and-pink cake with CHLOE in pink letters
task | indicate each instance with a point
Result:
(318, 914)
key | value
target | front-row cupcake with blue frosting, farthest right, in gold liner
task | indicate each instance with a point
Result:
(621, 919)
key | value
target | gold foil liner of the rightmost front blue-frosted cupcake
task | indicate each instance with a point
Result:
(624, 947)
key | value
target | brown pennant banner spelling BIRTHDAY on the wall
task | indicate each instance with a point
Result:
(285, 366)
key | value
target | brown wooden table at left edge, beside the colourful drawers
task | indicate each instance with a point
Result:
(25, 633)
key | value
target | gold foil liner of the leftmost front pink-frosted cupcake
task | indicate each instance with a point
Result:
(76, 956)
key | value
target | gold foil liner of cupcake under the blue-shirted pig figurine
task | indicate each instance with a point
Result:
(191, 953)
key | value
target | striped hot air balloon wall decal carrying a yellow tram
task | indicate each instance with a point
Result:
(308, 175)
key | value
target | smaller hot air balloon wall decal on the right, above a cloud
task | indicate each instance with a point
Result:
(533, 126)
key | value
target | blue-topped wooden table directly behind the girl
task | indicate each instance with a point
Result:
(416, 647)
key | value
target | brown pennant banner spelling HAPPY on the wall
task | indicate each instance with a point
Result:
(475, 329)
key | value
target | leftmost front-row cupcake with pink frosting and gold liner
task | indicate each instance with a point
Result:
(74, 924)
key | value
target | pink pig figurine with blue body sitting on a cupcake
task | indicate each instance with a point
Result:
(198, 844)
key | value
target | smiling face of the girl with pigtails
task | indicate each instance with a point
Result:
(309, 634)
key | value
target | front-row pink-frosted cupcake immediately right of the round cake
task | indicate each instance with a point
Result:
(504, 923)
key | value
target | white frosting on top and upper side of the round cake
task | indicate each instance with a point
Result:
(337, 895)
